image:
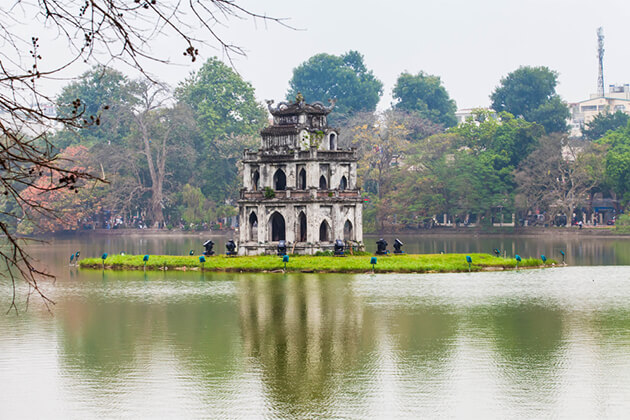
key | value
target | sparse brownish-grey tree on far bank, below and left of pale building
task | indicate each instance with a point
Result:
(558, 176)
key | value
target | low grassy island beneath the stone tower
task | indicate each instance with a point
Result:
(405, 263)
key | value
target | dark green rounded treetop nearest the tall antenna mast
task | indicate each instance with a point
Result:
(530, 92)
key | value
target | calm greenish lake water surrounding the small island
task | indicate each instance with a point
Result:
(526, 344)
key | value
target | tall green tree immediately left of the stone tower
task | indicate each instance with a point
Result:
(228, 116)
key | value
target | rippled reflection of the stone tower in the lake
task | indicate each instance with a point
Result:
(304, 332)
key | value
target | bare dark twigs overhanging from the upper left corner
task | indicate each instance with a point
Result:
(90, 31)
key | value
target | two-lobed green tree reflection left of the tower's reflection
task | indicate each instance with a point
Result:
(111, 336)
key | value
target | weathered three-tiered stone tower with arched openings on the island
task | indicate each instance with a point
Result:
(299, 186)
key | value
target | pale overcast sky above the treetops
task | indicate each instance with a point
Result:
(471, 45)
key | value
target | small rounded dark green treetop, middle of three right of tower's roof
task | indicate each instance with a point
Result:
(424, 94)
